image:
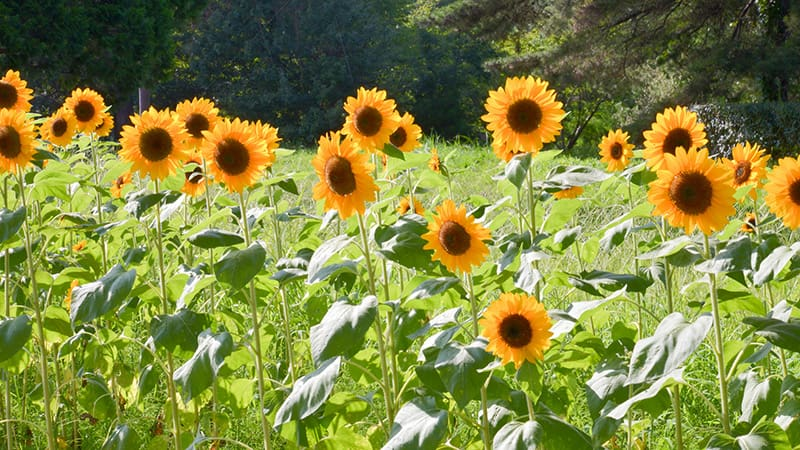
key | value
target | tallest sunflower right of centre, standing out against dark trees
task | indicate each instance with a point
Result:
(524, 115)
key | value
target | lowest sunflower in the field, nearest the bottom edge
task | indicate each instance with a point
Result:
(517, 327)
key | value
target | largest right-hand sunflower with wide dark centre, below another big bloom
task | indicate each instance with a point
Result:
(692, 190)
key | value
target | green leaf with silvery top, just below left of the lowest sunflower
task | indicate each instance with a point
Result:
(459, 366)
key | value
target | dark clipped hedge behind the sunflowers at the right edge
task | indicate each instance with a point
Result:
(775, 126)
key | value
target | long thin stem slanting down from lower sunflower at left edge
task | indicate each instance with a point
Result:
(37, 310)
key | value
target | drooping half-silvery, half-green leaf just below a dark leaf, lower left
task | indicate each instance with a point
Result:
(200, 371)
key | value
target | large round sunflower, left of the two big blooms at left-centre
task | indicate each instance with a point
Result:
(154, 144)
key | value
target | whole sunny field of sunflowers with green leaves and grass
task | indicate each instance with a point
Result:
(194, 285)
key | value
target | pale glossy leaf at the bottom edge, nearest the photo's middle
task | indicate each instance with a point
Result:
(419, 425)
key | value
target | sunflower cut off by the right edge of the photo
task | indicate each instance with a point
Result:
(783, 191)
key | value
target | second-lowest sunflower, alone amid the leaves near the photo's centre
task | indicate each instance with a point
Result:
(455, 238)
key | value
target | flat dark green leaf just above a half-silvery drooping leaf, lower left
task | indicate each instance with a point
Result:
(178, 330)
